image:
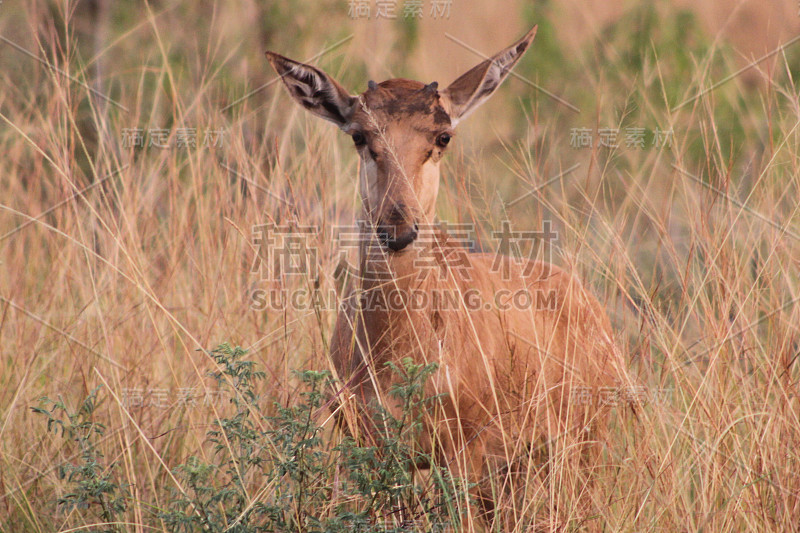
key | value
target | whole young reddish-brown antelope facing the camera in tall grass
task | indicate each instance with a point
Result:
(508, 374)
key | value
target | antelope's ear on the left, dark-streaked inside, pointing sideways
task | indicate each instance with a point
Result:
(314, 90)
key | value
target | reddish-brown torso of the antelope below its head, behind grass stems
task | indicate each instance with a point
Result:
(505, 372)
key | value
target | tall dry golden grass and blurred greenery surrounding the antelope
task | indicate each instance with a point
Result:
(118, 263)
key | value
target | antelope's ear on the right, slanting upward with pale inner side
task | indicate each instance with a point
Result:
(474, 87)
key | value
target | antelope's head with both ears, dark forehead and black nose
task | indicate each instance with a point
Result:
(400, 129)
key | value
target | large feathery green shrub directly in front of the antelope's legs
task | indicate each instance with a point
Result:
(277, 473)
